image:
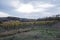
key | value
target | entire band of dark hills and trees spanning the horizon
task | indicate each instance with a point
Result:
(3, 19)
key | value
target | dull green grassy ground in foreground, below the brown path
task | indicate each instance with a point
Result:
(36, 34)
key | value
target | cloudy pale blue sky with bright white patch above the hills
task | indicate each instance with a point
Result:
(31, 9)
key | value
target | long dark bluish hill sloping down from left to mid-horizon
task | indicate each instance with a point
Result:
(3, 19)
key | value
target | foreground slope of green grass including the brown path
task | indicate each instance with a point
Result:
(38, 33)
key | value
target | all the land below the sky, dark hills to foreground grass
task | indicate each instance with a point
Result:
(15, 28)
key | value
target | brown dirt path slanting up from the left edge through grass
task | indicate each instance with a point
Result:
(12, 32)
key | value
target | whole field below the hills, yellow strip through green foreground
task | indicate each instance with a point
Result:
(30, 31)
